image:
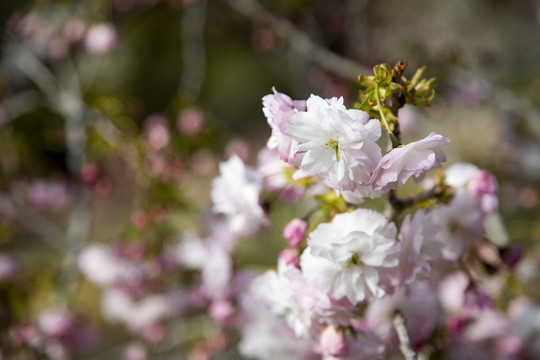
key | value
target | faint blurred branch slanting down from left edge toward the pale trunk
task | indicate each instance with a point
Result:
(36, 223)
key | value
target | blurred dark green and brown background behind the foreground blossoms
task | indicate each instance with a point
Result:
(115, 113)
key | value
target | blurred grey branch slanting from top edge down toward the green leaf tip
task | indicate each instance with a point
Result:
(300, 42)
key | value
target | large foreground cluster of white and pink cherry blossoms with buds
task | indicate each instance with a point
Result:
(348, 269)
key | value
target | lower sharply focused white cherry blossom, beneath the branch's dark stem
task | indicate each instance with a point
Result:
(344, 257)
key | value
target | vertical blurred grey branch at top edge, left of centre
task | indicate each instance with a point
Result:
(193, 51)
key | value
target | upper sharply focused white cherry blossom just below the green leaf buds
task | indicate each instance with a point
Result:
(338, 144)
